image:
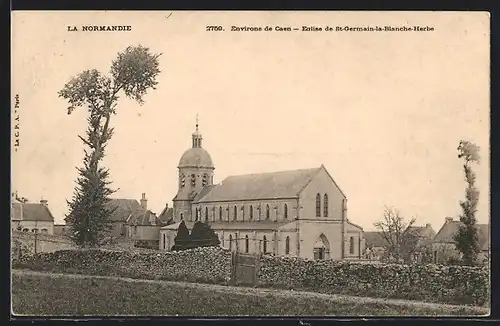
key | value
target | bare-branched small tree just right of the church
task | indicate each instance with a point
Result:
(400, 240)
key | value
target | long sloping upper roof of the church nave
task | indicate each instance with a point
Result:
(273, 185)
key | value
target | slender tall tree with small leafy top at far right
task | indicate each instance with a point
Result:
(466, 238)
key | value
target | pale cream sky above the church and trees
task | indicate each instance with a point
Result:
(383, 111)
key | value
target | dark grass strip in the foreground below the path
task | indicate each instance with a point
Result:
(63, 295)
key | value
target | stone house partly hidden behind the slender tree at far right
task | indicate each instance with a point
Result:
(444, 248)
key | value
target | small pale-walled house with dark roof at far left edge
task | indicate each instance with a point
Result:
(31, 217)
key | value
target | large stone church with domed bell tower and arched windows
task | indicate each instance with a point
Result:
(299, 213)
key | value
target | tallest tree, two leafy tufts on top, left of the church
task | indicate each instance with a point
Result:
(133, 73)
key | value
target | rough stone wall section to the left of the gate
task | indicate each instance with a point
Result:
(206, 265)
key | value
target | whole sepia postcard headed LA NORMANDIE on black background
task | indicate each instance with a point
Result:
(184, 163)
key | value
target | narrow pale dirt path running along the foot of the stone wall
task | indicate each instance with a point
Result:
(267, 292)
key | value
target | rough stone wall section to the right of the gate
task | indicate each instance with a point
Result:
(428, 282)
